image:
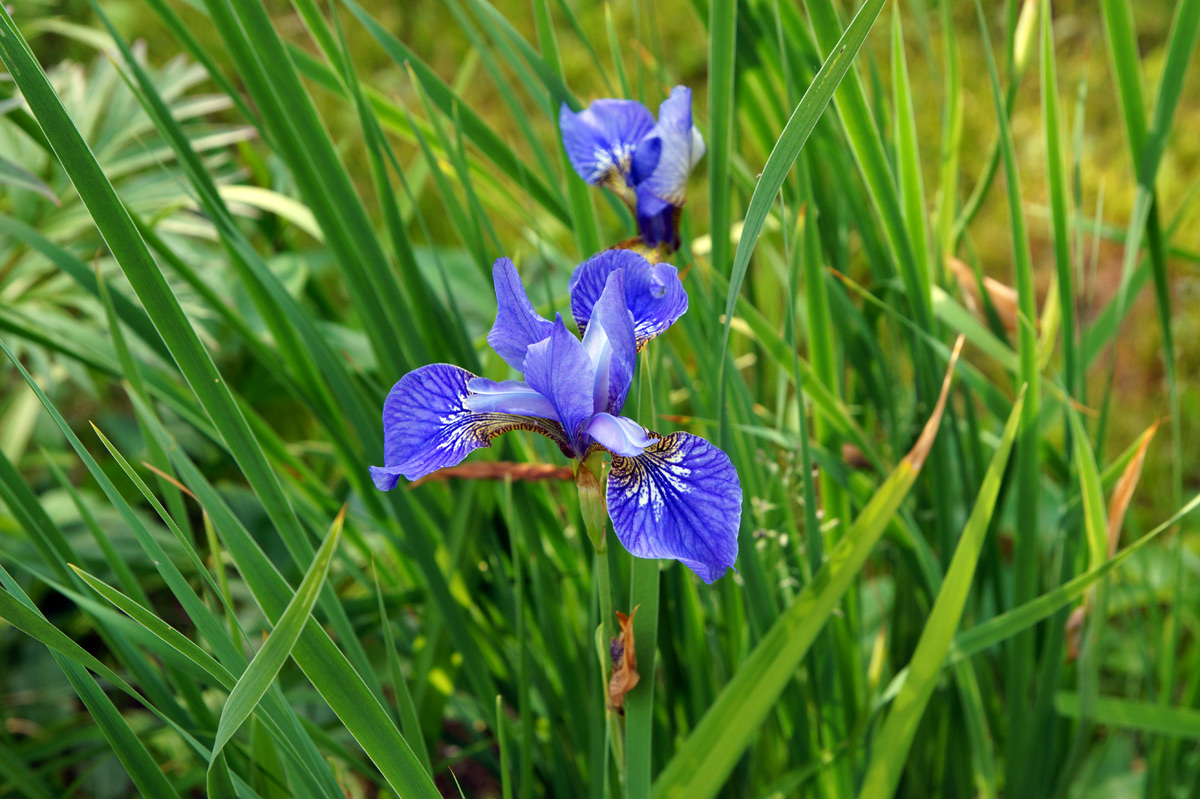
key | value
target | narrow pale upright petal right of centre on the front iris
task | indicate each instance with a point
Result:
(613, 347)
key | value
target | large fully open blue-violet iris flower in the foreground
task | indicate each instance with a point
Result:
(673, 496)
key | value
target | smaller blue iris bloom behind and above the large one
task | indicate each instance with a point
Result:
(616, 143)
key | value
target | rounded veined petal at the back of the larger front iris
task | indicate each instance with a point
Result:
(655, 295)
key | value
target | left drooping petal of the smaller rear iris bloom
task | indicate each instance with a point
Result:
(601, 140)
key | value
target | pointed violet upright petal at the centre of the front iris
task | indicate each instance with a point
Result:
(561, 370)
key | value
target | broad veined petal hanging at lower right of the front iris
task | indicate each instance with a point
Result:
(681, 498)
